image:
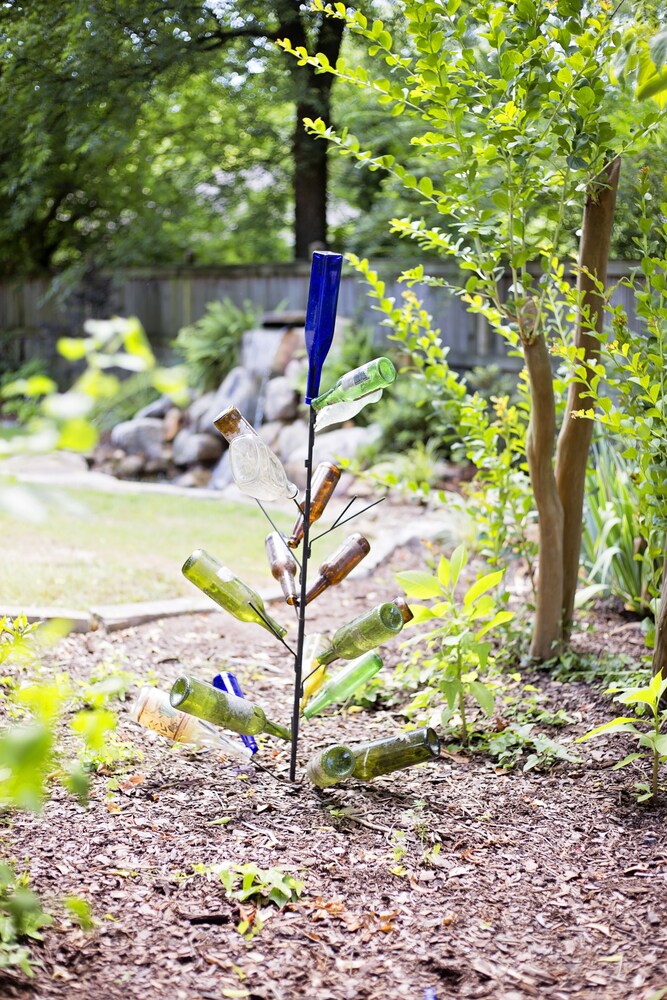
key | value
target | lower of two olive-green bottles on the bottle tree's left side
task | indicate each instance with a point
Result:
(238, 714)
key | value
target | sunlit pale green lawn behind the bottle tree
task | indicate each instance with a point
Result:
(108, 548)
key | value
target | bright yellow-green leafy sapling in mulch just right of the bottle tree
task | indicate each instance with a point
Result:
(457, 640)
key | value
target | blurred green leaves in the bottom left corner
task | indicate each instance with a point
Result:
(21, 917)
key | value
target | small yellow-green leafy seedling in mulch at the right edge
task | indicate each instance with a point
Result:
(648, 732)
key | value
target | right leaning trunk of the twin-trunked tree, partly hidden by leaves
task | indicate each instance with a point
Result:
(575, 435)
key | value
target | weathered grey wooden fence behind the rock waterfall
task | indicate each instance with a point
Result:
(31, 320)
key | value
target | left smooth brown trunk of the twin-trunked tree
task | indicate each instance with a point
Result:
(540, 440)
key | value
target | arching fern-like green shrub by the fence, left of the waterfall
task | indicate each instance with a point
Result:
(210, 347)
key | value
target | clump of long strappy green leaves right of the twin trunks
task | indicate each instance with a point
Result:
(617, 558)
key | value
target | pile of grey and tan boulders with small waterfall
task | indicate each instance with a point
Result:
(163, 441)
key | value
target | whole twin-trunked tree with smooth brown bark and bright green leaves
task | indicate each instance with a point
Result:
(512, 109)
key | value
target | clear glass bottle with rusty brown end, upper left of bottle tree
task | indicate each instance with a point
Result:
(255, 468)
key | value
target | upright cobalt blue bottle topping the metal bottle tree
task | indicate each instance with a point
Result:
(321, 314)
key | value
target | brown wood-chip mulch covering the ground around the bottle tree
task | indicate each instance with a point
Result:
(545, 885)
